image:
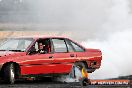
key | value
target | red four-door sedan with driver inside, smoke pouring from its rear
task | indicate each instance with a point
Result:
(47, 56)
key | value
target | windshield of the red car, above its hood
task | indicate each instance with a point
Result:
(15, 44)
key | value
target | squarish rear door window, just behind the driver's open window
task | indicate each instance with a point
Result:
(59, 45)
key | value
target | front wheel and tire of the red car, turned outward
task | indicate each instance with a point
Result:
(9, 73)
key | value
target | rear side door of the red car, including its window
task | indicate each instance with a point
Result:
(63, 59)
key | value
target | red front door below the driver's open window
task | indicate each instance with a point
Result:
(37, 63)
